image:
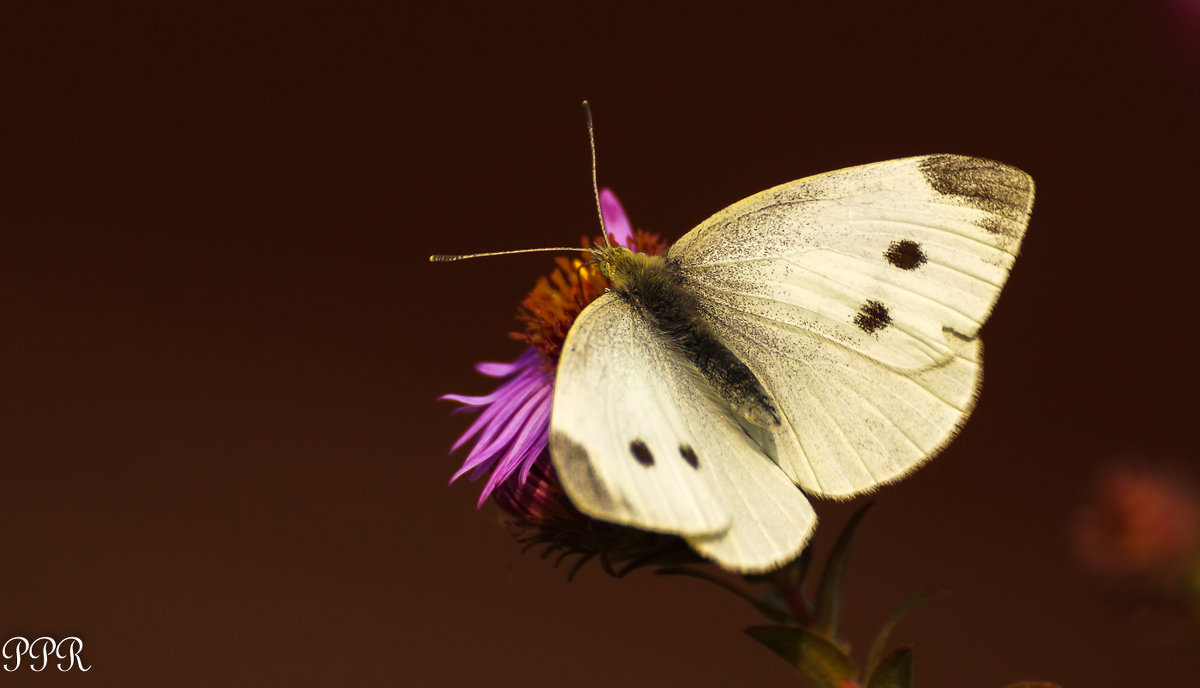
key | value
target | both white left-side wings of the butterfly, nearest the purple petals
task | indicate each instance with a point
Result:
(638, 439)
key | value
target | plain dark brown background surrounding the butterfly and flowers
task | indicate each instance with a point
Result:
(223, 459)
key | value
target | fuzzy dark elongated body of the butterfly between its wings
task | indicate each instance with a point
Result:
(655, 286)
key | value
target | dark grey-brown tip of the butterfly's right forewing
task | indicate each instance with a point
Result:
(983, 184)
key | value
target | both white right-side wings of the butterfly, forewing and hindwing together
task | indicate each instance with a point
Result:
(856, 298)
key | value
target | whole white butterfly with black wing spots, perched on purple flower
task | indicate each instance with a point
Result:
(823, 334)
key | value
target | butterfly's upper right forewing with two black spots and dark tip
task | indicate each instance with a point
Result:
(878, 259)
